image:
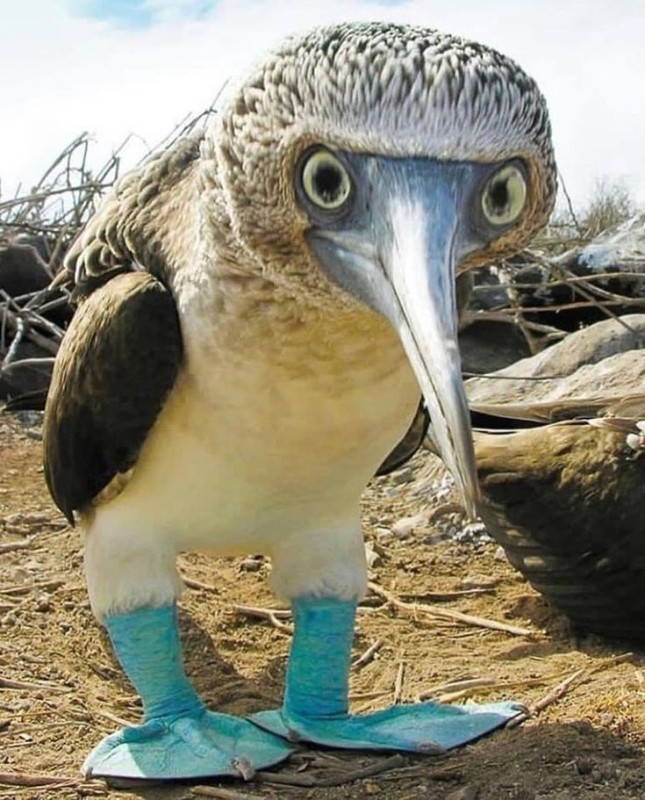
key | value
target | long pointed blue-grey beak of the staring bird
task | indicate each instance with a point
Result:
(403, 264)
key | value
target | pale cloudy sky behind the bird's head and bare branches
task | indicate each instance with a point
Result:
(120, 68)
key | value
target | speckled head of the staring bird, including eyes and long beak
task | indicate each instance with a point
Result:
(381, 161)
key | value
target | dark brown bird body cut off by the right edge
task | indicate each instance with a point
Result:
(565, 501)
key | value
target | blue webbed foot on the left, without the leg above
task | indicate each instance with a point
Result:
(187, 746)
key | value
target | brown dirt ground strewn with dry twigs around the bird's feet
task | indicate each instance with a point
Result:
(61, 690)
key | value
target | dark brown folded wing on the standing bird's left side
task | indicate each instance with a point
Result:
(115, 367)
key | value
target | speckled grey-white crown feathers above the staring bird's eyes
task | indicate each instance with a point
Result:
(385, 89)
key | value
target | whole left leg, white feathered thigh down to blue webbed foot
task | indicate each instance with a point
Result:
(133, 588)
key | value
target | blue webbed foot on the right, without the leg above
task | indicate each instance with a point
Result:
(421, 728)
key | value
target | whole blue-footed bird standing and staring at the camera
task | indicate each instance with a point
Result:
(261, 307)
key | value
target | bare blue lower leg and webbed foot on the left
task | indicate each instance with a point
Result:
(179, 737)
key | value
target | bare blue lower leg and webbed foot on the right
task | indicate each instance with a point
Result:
(315, 705)
